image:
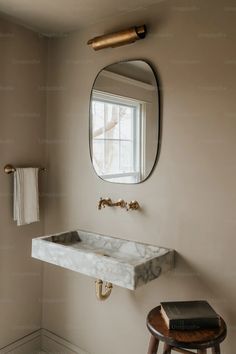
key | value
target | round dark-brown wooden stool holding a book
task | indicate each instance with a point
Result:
(182, 341)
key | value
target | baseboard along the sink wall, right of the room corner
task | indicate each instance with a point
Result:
(53, 344)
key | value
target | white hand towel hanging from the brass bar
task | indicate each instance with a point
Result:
(26, 196)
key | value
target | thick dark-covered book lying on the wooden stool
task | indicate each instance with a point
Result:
(189, 315)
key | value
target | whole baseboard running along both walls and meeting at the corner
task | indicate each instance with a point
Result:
(42, 341)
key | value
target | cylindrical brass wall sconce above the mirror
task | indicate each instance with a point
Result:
(117, 39)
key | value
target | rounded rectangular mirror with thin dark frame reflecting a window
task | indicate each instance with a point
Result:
(124, 122)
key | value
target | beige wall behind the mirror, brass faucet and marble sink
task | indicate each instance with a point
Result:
(188, 203)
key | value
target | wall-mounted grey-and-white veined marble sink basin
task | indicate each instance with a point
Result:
(125, 263)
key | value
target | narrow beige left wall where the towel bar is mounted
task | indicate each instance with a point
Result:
(22, 129)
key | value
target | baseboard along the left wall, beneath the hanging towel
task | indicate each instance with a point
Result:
(30, 344)
